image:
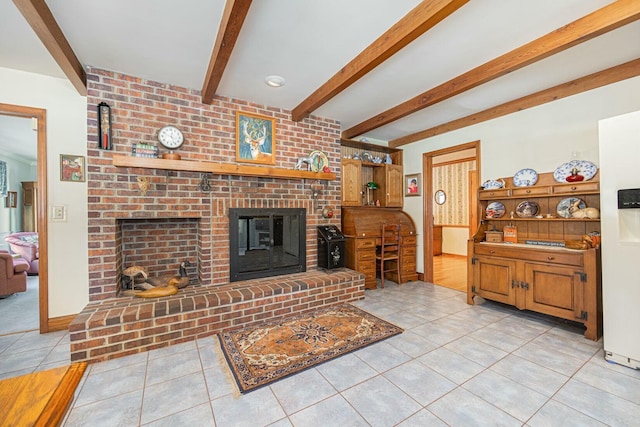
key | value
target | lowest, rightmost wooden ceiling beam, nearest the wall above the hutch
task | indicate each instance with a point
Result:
(583, 84)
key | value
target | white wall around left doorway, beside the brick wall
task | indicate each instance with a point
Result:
(66, 134)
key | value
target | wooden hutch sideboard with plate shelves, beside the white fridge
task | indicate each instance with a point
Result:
(557, 281)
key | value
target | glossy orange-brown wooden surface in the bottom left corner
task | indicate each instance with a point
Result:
(41, 398)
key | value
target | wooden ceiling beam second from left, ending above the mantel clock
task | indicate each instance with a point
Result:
(235, 11)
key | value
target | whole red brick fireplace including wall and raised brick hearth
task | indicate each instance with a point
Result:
(174, 220)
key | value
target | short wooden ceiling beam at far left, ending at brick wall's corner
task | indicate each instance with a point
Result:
(41, 20)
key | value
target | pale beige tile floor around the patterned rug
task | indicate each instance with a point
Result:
(455, 364)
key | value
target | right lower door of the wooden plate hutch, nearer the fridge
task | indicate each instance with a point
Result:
(554, 290)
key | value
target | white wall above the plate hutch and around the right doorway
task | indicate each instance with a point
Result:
(541, 138)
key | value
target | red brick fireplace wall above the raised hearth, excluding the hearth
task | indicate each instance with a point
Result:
(139, 108)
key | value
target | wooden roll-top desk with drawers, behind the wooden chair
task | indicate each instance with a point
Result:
(362, 229)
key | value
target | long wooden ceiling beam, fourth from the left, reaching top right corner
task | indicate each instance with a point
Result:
(608, 18)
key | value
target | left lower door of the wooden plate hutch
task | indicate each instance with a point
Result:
(493, 279)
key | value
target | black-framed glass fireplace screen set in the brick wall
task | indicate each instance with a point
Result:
(266, 242)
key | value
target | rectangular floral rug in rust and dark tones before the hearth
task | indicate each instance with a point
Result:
(261, 355)
